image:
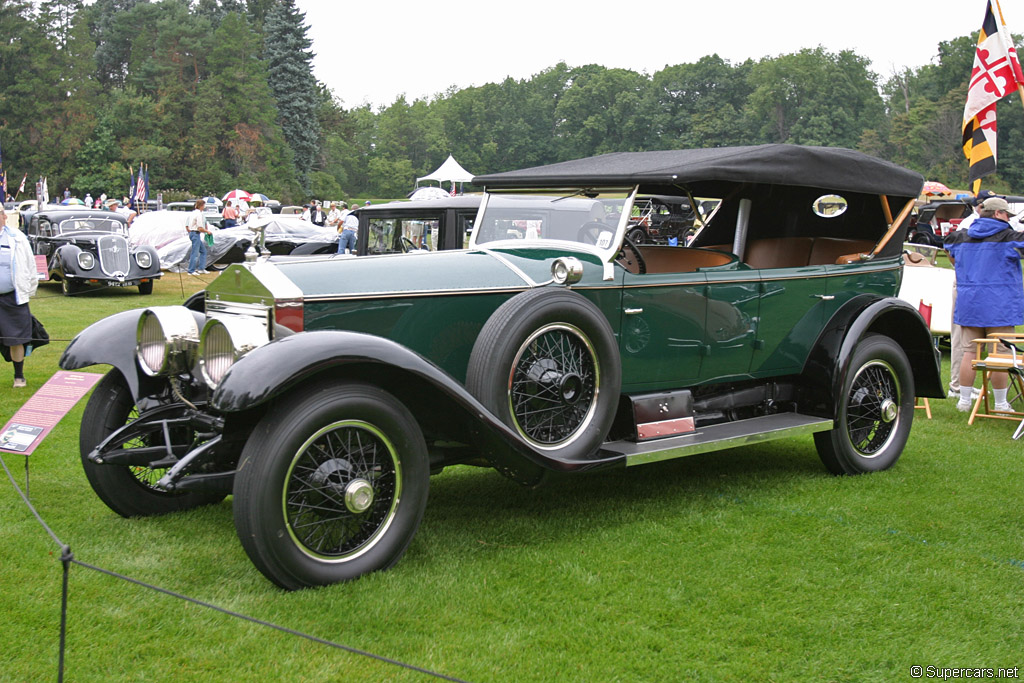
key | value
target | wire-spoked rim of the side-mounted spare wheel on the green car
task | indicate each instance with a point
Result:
(553, 387)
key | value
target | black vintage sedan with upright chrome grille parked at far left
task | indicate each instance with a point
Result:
(90, 247)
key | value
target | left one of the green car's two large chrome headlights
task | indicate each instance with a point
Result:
(167, 338)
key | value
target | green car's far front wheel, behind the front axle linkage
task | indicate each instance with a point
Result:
(129, 490)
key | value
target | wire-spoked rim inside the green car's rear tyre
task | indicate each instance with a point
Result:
(874, 412)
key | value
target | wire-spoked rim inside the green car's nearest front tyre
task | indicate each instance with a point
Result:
(343, 491)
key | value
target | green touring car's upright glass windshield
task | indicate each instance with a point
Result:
(593, 221)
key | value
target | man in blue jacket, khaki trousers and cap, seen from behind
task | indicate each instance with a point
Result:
(990, 289)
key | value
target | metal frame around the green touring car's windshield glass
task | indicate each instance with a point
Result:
(607, 254)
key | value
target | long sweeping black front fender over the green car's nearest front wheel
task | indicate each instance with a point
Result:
(443, 407)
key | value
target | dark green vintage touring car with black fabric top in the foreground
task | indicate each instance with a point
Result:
(323, 393)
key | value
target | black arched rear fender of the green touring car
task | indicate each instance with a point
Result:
(830, 359)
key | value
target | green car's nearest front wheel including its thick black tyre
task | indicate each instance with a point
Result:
(331, 486)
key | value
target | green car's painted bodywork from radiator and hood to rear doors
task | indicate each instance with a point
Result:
(674, 330)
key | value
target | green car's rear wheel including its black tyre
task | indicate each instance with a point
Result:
(876, 411)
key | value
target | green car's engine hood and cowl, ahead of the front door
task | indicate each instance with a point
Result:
(436, 304)
